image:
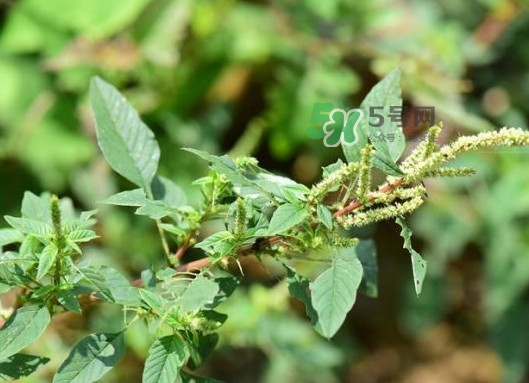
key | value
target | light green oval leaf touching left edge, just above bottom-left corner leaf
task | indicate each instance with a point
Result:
(22, 329)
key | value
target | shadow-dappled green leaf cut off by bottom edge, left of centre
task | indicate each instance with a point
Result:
(91, 358)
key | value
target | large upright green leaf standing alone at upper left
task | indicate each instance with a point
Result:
(126, 142)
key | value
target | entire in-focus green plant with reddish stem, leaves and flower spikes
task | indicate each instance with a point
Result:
(263, 215)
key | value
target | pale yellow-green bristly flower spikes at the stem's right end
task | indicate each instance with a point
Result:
(403, 194)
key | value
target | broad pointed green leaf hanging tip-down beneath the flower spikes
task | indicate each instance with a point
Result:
(334, 291)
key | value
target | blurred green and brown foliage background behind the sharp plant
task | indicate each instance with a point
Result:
(242, 77)
